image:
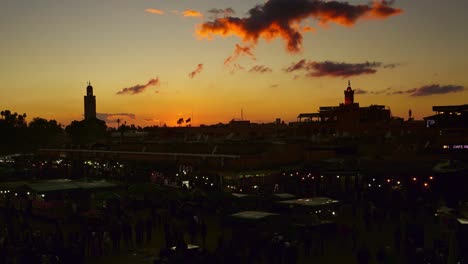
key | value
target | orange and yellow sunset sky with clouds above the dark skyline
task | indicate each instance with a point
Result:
(153, 61)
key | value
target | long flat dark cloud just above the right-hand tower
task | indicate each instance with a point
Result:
(334, 69)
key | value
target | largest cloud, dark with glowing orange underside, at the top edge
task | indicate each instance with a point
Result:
(277, 19)
